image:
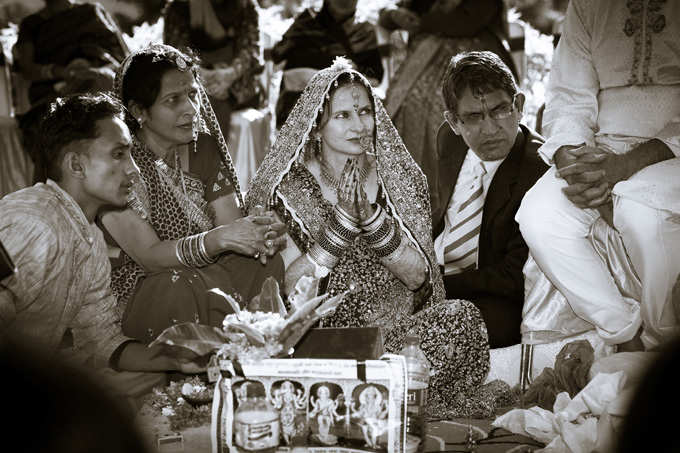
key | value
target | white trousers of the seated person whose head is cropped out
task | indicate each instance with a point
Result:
(556, 232)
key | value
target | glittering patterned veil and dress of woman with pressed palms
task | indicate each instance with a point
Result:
(453, 333)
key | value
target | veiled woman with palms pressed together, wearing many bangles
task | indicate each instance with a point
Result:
(357, 211)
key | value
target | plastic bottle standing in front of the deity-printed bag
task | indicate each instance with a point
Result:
(256, 423)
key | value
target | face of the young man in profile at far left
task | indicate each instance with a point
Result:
(108, 168)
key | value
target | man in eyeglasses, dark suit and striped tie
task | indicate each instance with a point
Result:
(487, 162)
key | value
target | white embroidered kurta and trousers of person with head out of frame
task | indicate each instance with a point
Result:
(614, 83)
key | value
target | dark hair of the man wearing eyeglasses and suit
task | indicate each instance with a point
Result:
(481, 72)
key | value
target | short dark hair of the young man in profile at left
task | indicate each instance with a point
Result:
(70, 124)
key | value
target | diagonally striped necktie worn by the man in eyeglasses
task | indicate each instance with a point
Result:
(460, 251)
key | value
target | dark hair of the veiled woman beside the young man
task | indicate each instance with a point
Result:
(142, 79)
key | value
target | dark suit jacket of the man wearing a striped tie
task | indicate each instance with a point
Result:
(502, 251)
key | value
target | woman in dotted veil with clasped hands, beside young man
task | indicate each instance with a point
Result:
(183, 232)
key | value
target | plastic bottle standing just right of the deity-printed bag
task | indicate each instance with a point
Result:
(418, 373)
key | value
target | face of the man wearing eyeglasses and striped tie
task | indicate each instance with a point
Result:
(491, 139)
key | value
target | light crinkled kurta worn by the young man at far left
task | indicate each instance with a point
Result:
(63, 279)
